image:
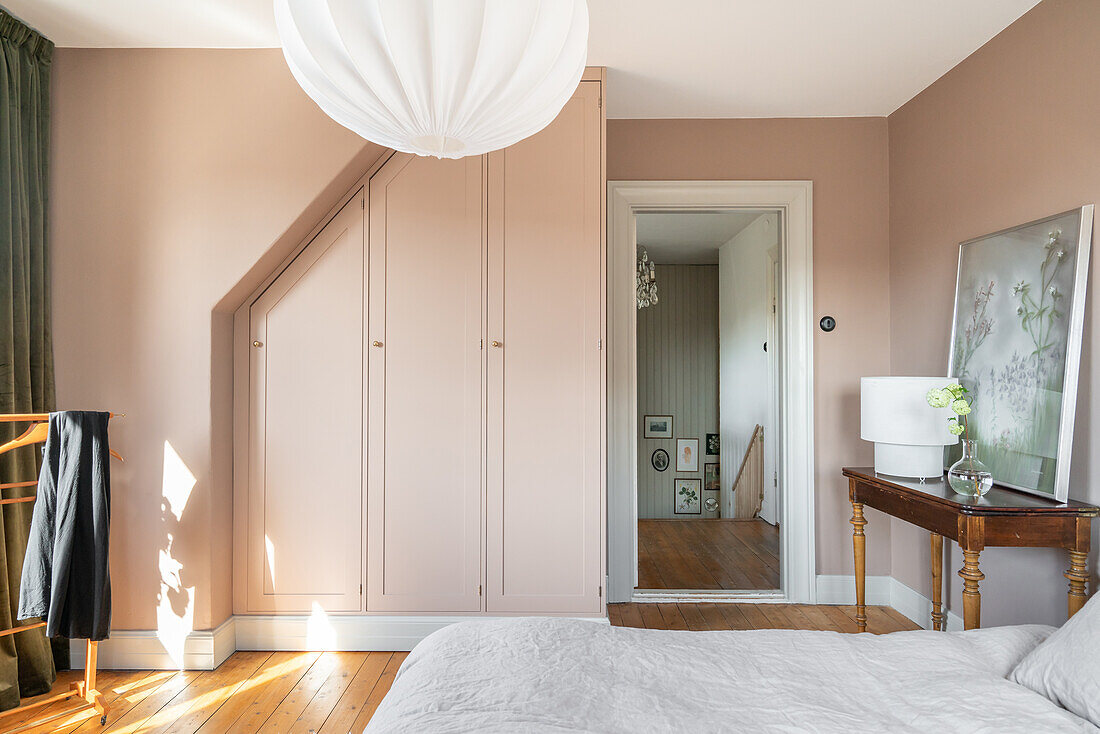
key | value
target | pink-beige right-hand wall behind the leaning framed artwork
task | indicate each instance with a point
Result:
(1011, 135)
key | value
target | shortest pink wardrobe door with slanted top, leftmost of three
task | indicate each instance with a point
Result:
(306, 435)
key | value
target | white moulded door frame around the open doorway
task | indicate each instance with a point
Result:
(794, 200)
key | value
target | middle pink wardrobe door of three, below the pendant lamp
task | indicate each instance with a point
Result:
(425, 386)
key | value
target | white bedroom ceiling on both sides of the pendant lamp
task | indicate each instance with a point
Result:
(684, 59)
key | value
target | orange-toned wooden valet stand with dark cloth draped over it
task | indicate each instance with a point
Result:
(85, 689)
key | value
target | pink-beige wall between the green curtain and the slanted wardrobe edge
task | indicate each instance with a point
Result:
(174, 173)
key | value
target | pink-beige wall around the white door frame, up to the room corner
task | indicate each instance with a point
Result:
(846, 159)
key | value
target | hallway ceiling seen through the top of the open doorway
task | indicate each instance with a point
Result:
(690, 238)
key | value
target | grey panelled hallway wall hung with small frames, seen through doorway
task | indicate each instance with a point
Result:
(678, 376)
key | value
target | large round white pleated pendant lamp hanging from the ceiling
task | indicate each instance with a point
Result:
(447, 79)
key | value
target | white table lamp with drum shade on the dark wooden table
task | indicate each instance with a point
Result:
(909, 434)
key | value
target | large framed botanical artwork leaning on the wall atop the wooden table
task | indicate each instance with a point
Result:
(1017, 345)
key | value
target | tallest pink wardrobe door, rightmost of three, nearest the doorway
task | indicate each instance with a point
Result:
(544, 505)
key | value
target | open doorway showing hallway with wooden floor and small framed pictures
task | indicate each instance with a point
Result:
(708, 401)
